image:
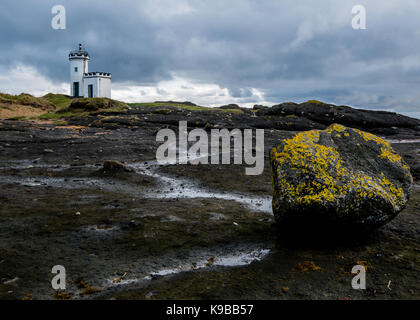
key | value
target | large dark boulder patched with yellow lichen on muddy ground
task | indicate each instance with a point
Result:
(338, 176)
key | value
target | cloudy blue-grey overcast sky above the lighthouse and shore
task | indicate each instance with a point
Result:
(216, 52)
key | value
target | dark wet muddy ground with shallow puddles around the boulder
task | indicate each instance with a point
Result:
(172, 232)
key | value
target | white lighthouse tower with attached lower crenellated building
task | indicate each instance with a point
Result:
(84, 83)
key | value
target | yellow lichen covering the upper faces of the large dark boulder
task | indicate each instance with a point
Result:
(308, 170)
